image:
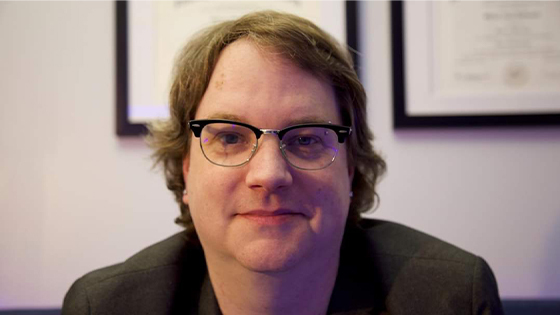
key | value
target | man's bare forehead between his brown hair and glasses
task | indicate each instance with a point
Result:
(261, 87)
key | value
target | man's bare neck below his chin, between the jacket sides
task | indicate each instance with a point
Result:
(304, 289)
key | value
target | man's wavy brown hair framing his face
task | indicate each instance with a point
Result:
(299, 41)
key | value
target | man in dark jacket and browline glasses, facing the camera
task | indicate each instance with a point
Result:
(270, 158)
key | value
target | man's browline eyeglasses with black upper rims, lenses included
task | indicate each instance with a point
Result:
(306, 146)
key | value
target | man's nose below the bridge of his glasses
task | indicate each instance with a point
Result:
(268, 170)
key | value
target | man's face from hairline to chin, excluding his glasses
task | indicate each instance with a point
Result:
(267, 215)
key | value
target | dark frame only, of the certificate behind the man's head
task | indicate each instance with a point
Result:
(123, 126)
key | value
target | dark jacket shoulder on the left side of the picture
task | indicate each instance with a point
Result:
(147, 279)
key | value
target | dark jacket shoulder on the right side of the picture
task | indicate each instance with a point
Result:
(419, 273)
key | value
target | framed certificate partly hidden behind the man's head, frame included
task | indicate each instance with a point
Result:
(150, 33)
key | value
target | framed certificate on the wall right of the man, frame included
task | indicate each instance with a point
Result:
(475, 63)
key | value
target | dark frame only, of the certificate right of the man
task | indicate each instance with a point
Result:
(402, 120)
